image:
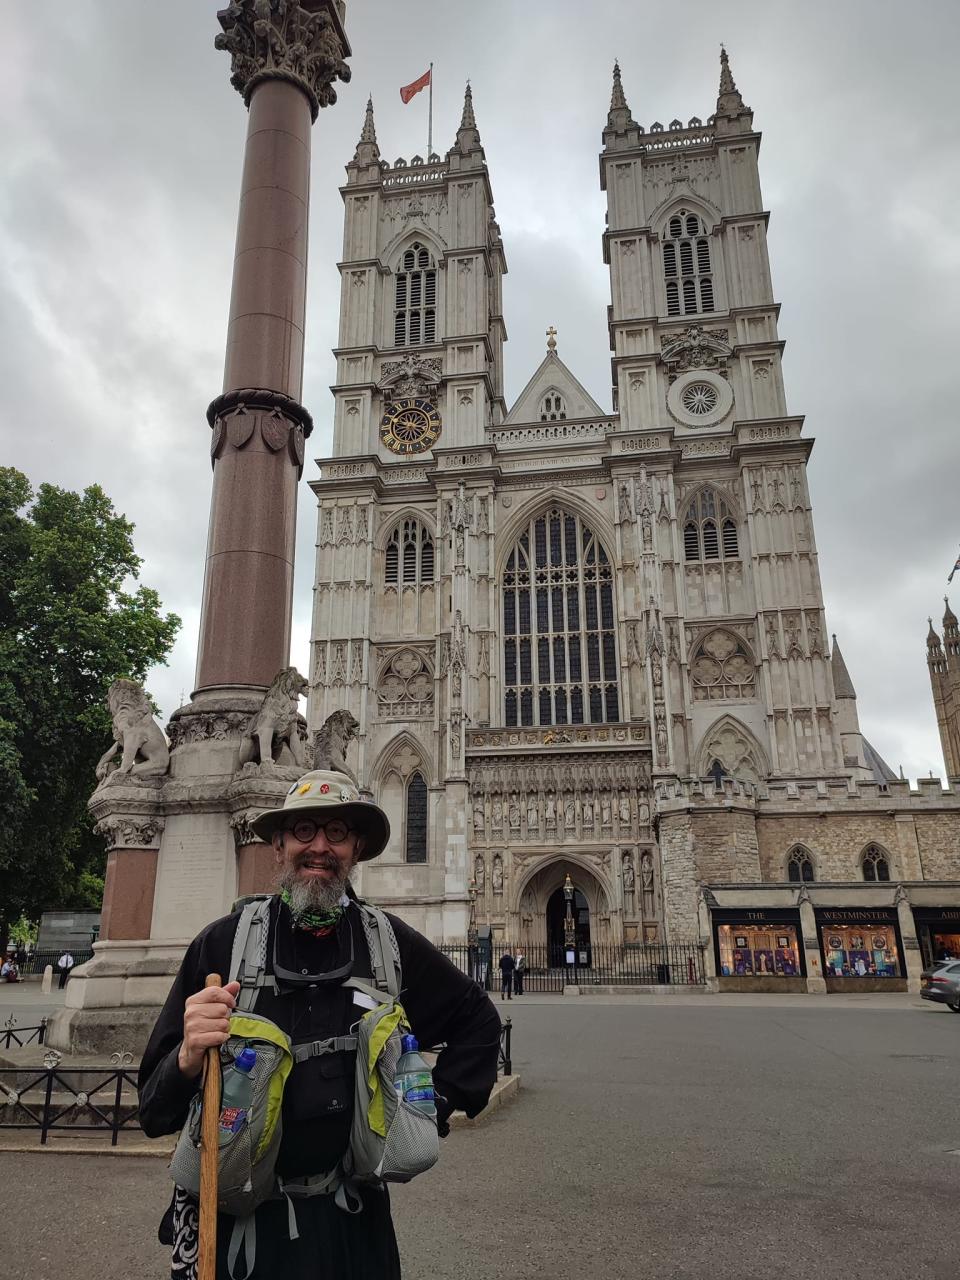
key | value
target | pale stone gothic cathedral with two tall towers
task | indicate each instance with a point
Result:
(593, 643)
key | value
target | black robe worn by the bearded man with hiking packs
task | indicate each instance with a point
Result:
(444, 1007)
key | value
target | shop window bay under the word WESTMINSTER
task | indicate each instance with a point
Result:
(862, 949)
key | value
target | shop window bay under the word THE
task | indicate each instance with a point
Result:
(758, 950)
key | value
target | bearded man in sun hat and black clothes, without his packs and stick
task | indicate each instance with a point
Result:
(316, 938)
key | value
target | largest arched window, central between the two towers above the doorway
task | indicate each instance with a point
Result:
(560, 652)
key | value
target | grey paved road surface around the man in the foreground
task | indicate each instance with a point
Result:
(675, 1141)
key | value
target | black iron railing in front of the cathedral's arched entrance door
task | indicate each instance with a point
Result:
(601, 964)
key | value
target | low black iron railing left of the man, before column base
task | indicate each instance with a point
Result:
(70, 1100)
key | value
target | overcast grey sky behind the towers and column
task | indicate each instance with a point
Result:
(122, 152)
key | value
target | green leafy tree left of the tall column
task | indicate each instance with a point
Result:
(68, 629)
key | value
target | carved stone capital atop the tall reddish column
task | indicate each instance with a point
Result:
(300, 42)
